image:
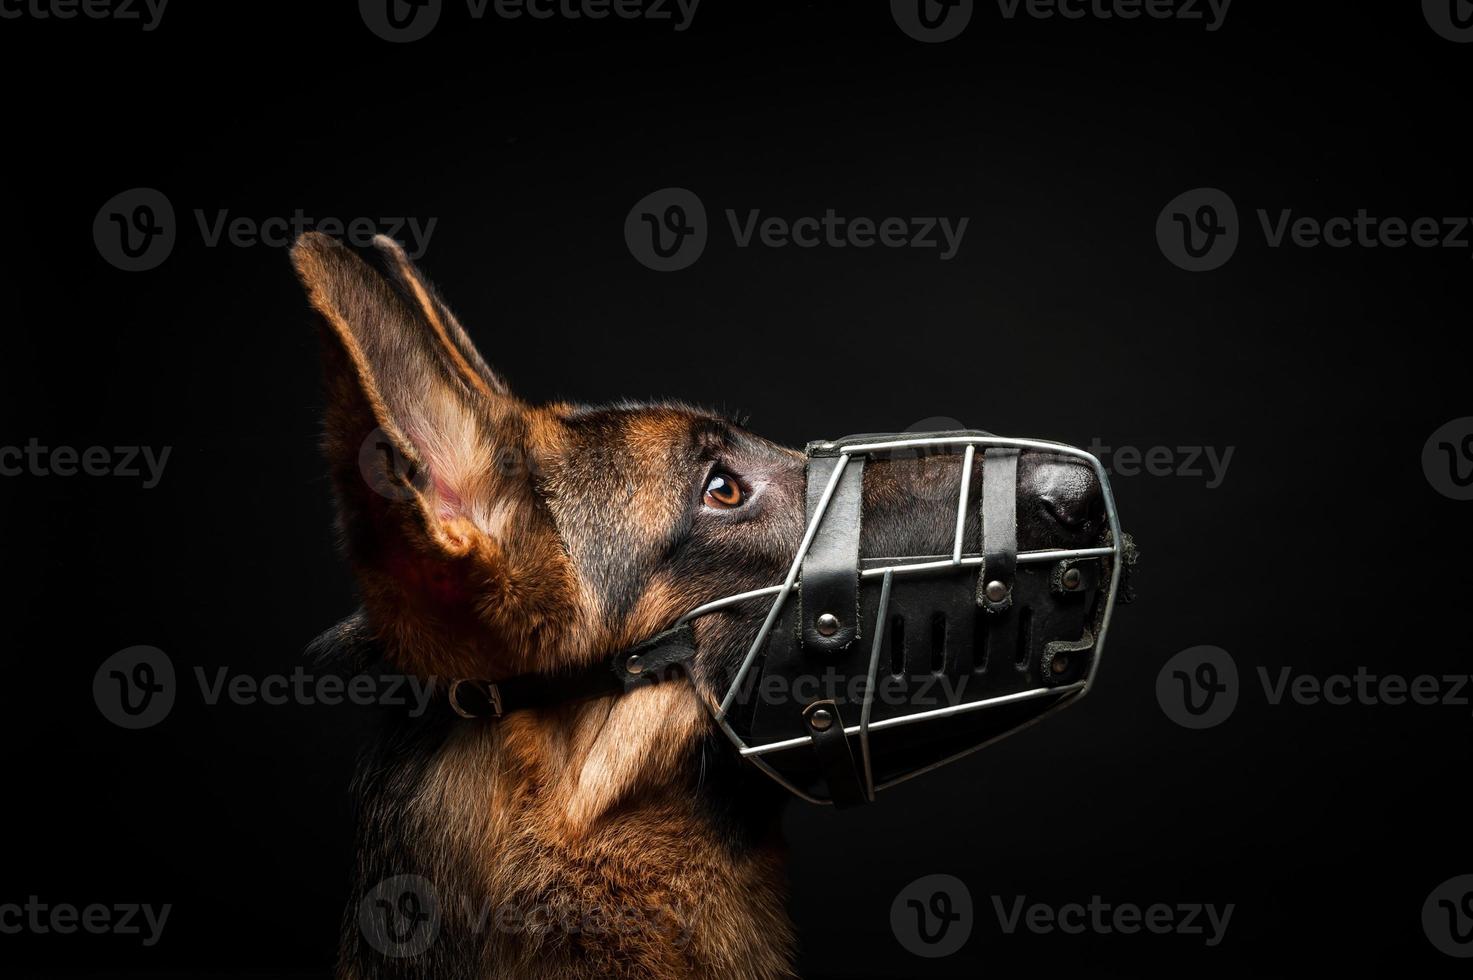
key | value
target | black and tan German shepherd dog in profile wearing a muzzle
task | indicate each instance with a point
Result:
(599, 838)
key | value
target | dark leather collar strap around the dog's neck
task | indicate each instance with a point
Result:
(637, 667)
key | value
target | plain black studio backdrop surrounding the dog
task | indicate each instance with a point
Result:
(1325, 547)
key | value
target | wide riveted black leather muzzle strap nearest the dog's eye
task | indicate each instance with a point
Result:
(830, 584)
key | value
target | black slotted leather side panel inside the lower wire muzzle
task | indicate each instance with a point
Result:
(939, 652)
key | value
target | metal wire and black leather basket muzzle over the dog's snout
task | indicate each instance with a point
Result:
(917, 659)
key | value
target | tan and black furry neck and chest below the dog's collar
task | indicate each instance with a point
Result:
(580, 842)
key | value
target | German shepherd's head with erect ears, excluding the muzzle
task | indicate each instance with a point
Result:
(496, 539)
